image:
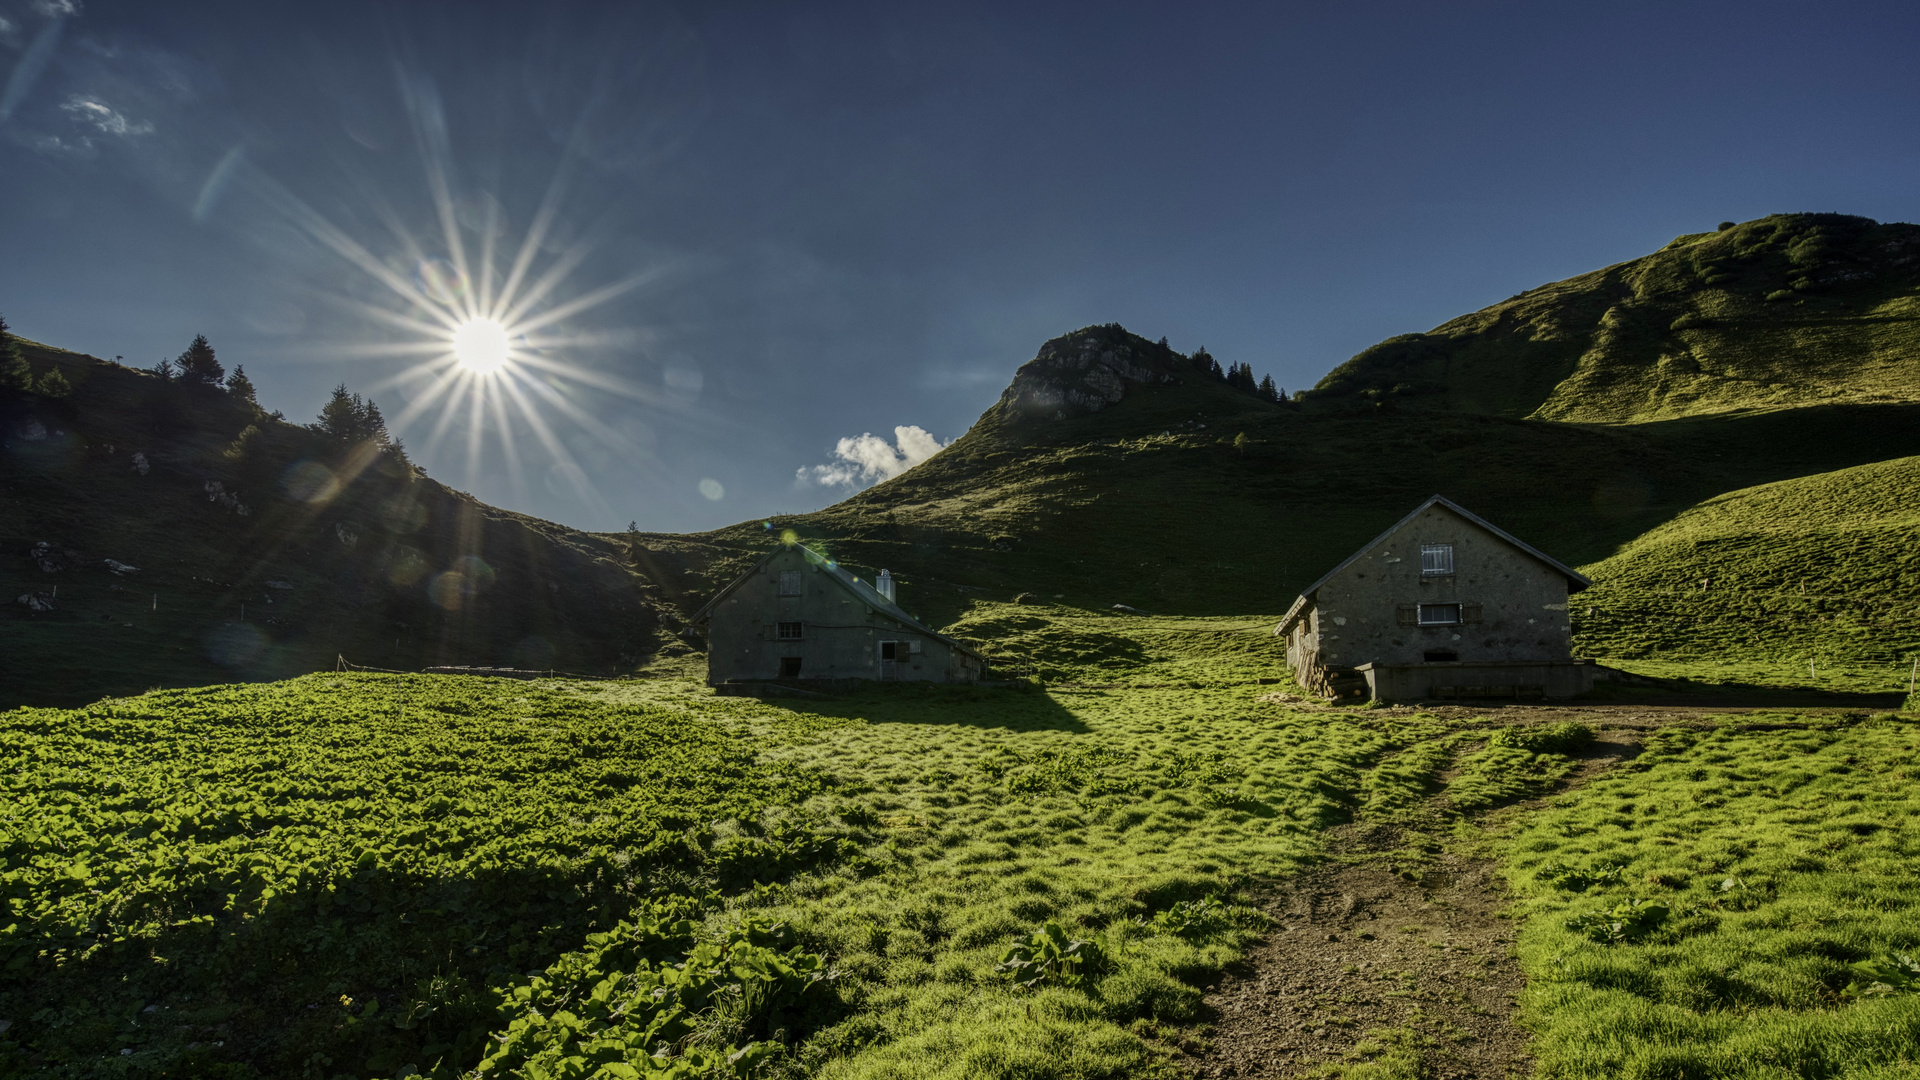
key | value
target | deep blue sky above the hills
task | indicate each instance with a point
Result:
(786, 226)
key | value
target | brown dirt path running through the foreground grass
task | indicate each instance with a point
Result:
(1393, 935)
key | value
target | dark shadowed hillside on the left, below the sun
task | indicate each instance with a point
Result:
(266, 556)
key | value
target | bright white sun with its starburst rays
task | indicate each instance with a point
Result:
(487, 333)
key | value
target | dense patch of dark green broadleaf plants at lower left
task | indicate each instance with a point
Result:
(352, 875)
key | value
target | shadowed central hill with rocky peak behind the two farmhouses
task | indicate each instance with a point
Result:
(1188, 499)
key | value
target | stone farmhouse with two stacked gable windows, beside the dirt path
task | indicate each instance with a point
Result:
(1439, 606)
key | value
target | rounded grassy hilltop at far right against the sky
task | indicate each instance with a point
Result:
(1788, 310)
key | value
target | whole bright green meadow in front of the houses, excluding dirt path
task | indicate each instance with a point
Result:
(368, 875)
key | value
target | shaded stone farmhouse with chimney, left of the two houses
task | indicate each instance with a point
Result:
(800, 616)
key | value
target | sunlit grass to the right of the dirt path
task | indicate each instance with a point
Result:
(1783, 852)
